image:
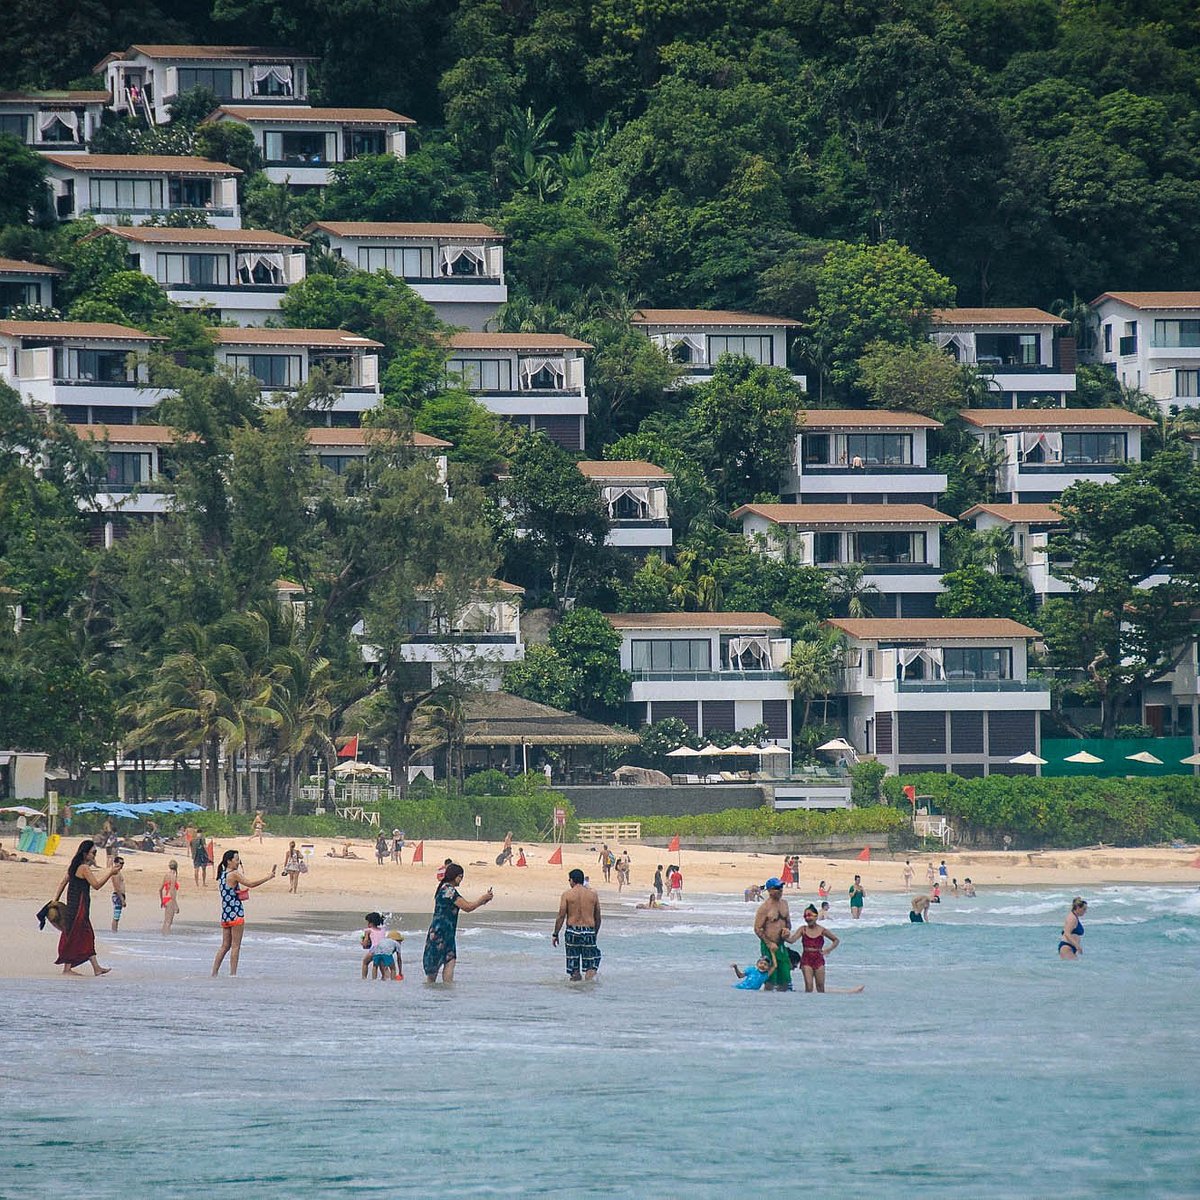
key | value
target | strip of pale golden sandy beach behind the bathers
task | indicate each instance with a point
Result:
(355, 886)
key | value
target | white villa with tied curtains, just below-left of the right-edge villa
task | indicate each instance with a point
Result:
(1042, 452)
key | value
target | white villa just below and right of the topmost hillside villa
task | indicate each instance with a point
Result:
(299, 146)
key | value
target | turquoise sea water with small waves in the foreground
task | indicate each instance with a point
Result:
(975, 1064)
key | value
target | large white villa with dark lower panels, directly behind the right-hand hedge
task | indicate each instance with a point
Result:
(943, 694)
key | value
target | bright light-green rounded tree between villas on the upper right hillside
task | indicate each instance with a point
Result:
(867, 295)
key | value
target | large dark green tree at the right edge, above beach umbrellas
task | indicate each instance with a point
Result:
(1133, 563)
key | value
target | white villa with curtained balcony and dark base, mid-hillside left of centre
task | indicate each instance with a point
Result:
(533, 380)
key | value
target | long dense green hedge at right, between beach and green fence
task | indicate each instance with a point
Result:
(1071, 812)
